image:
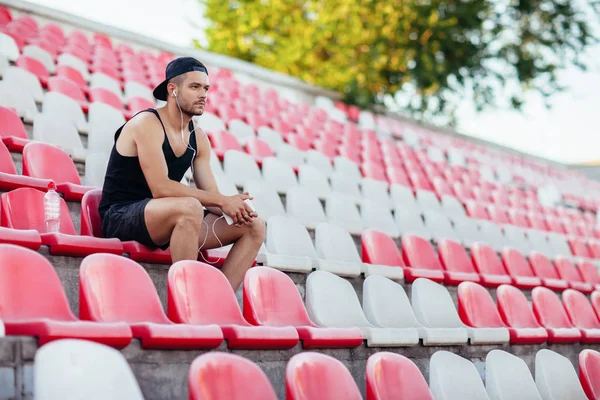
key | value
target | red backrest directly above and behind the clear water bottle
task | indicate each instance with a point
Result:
(43, 160)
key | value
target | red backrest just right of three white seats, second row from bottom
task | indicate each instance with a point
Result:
(476, 306)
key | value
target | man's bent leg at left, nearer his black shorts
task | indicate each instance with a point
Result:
(178, 219)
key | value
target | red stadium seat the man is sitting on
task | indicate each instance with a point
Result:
(91, 225)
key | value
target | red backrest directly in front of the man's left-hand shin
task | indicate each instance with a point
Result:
(199, 293)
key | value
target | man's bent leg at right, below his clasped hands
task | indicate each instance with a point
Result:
(247, 240)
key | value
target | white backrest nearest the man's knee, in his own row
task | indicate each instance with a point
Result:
(287, 236)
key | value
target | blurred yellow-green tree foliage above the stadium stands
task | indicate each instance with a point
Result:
(438, 50)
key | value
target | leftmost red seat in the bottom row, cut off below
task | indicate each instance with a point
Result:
(210, 377)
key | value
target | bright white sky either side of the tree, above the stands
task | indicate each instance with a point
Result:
(566, 133)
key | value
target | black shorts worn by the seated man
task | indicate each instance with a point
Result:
(125, 221)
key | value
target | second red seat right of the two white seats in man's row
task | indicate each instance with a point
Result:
(421, 260)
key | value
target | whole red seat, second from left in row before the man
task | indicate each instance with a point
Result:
(106, 285)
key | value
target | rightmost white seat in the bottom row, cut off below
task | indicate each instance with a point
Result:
(508, 377)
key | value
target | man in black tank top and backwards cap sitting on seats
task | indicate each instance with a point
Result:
(142, 197)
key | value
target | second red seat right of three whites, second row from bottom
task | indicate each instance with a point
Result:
(517, 315)
